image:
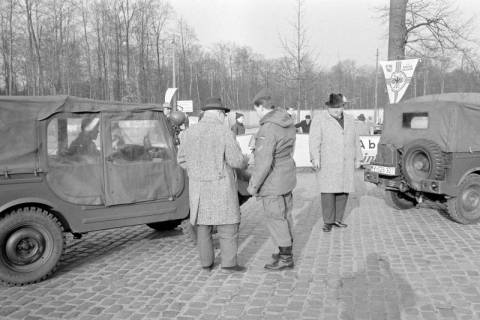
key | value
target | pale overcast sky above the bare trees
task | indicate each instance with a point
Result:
(338, 29)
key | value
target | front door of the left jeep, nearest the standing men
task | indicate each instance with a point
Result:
(140, 158)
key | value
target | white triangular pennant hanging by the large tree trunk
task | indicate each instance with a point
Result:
(398, 74)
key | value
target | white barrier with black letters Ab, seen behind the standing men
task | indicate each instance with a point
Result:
(301, 155)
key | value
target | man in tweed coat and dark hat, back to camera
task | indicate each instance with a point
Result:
(209, 152)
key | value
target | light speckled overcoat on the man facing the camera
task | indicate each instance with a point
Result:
(338, 151)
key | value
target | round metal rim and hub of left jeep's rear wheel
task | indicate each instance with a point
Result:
(25, 246)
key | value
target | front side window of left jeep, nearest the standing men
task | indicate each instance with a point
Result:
(138, 140)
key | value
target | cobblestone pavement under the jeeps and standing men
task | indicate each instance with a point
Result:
(388, 264)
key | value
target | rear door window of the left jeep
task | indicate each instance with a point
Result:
(74, 139)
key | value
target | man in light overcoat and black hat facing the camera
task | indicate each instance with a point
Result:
(335, 153)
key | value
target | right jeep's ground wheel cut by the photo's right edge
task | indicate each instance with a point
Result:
(465, 207)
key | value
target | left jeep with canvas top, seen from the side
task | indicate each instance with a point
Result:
(76, 165)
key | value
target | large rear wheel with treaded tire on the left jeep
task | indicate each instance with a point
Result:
(31, 244)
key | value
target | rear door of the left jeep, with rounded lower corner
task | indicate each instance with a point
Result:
(75, 158)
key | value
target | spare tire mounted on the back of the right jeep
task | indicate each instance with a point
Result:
(423, 159)
